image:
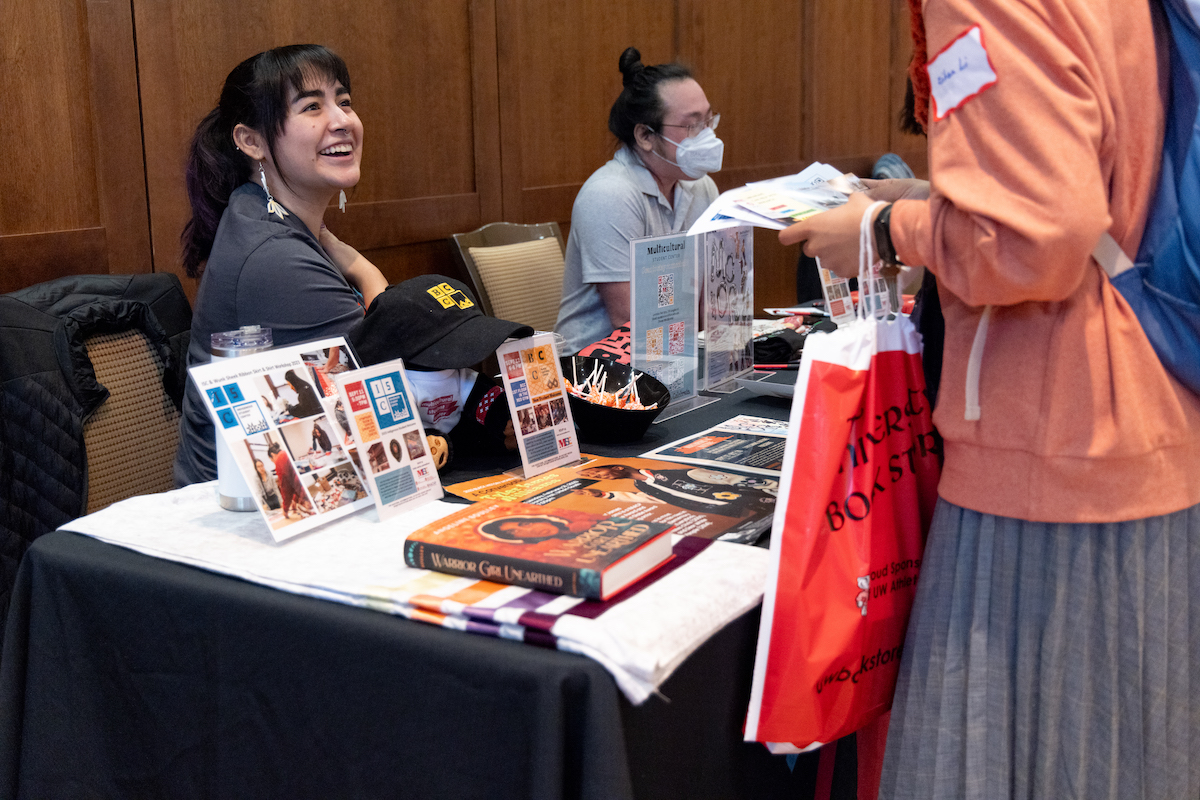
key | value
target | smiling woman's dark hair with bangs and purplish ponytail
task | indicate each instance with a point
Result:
(256, 94)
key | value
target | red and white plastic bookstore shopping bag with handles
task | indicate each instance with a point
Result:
(856, 500)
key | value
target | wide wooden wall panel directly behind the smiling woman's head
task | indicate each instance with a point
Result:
(422, 83)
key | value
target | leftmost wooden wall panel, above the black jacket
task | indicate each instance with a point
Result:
(73, 196)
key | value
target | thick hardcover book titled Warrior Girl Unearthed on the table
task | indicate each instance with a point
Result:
(563, 551)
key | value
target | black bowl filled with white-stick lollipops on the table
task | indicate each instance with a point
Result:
(605, 424)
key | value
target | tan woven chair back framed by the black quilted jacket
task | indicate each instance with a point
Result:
(133, 438)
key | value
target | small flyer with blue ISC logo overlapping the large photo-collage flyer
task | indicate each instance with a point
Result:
(387, 428)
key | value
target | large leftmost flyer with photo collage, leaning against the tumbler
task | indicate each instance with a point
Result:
(289, 434)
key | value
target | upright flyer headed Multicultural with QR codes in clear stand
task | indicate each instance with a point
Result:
(663, 306)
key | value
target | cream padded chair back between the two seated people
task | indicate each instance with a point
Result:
(517, 270)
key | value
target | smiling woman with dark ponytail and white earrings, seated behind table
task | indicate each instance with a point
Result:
(263, 169)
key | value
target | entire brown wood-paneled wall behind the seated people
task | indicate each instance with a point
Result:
(475, 111)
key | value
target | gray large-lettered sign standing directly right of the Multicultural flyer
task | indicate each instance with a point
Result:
(728, 262)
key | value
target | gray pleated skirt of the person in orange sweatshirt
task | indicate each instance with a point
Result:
(1051, 661)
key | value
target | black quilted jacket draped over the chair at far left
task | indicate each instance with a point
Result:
(49, 390)
